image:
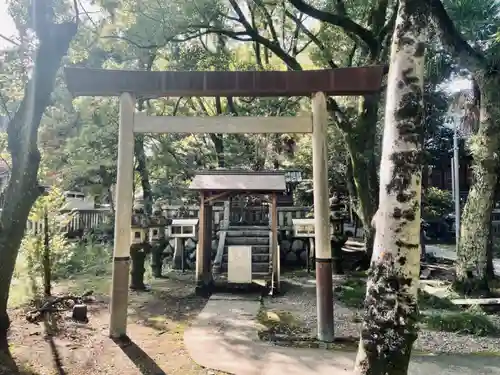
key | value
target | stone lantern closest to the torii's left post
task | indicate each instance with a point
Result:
(139, 247)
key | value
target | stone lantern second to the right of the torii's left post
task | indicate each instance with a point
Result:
(157, 239)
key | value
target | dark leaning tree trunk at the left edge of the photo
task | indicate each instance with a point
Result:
(22, 189)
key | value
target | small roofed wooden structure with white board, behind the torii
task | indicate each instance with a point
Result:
(252, 200)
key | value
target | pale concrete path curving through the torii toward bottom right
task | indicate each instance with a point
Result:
(224, 337)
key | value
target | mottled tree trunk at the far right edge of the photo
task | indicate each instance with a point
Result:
(472, 257)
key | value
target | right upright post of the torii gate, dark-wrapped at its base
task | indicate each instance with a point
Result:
(324, 287)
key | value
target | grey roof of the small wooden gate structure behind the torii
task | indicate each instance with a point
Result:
(248, 181)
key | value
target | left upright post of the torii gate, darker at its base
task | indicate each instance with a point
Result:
(123, 217)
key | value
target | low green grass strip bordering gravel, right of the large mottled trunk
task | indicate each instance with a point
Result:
(474, 323)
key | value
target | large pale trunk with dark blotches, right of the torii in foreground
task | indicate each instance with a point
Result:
(391, 312)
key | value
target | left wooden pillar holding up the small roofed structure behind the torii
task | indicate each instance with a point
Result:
(204, 248)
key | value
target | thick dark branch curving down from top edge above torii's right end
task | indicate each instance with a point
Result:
(344, 22)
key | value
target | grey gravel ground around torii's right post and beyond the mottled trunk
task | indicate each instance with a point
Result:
(300, 300)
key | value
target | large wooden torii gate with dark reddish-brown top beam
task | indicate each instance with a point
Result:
(130, 85)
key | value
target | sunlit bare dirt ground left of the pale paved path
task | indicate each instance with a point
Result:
(156, 324)
